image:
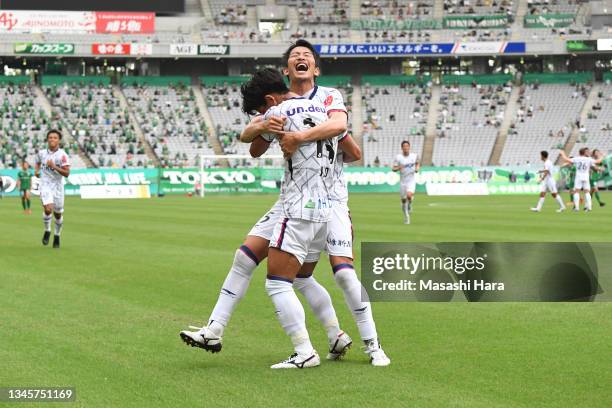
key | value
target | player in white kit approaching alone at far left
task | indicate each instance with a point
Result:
(52, 165)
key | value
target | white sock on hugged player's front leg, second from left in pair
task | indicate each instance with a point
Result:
(290, 313)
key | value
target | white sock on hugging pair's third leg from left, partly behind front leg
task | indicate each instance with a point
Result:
(320, 302)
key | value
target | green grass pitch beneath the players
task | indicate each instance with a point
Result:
(103, 313)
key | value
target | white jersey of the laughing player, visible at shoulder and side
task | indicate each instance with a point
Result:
(333, 101)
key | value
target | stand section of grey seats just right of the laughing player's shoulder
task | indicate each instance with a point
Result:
(393, 109)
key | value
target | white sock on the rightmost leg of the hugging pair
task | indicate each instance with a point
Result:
(347, 280)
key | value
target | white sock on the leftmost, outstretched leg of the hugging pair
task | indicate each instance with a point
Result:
(233, 289)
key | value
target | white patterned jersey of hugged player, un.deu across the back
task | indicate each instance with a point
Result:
(309, 173)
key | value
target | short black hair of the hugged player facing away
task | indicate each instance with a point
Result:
(263, 82)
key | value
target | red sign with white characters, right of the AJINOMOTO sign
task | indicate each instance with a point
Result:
(125, 23)
